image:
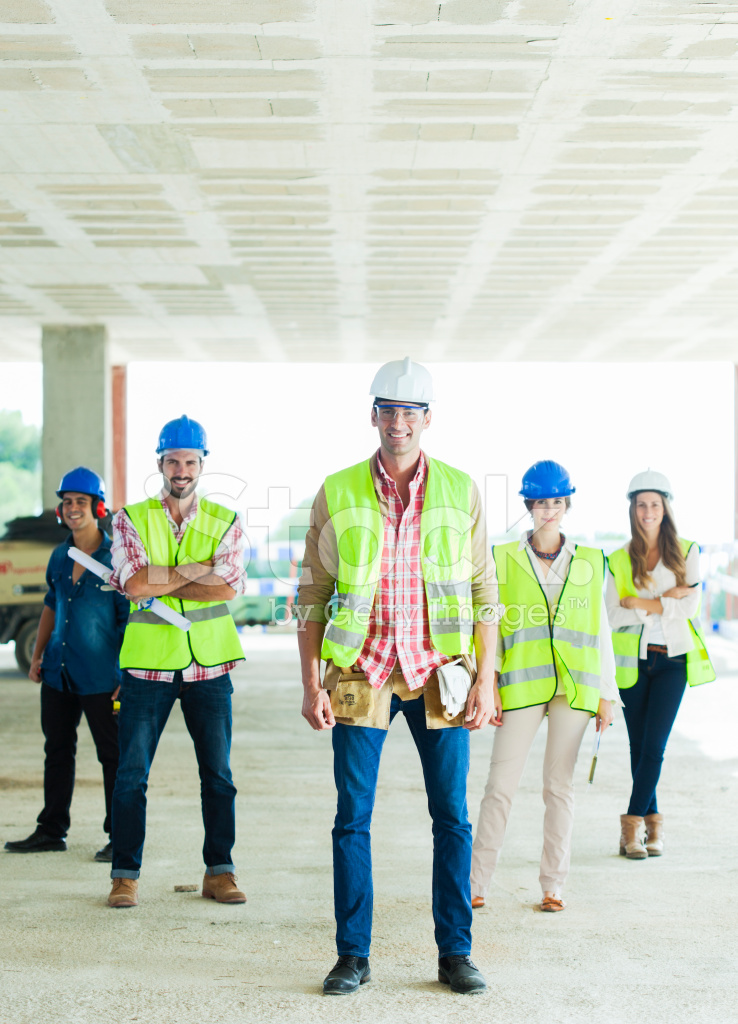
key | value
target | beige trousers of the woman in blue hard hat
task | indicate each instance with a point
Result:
(513, 741)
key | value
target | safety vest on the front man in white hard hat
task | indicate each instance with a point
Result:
(446, 558)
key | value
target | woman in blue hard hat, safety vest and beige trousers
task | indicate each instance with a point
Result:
(555, 658)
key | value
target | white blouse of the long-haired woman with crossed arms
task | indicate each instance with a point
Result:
(672, 628)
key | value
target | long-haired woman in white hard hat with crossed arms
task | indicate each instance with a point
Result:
(654, 601)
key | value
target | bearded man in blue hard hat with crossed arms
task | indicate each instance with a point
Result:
(188, 553)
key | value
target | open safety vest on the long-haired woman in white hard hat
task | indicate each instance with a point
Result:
(627, 639)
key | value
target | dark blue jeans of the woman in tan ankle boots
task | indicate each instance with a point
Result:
(650, 710)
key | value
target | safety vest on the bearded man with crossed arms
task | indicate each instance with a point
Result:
(150, 644)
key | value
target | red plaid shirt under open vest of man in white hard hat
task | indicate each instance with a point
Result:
(399, 624)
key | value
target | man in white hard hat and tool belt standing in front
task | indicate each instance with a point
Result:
(398, 556)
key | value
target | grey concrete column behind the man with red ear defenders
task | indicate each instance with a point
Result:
(77, 405)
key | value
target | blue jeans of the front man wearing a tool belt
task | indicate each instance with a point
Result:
(445, 757)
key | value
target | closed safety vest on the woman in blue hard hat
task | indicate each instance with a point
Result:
(540, 643)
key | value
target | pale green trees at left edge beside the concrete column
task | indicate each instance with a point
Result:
(20, 468)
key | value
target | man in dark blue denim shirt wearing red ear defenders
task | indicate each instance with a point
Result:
(75, 660)
